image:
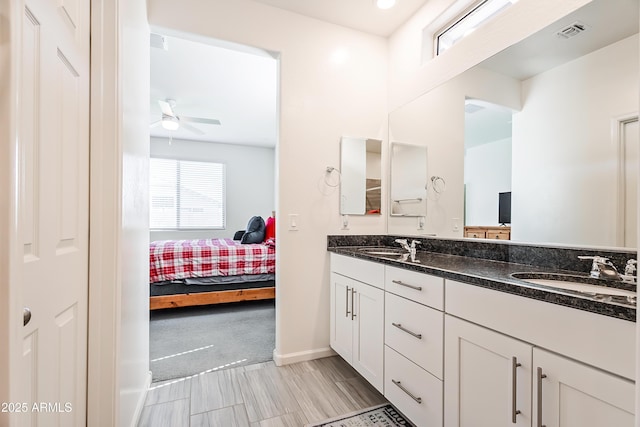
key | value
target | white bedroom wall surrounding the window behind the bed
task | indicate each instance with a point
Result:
(250, 181)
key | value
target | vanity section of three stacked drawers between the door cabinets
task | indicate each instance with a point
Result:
(413, 344)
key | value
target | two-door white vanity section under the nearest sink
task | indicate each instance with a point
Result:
(580, 363)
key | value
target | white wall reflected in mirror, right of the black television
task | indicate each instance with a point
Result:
(577, 103)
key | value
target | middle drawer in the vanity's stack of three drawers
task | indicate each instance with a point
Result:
(404, 320)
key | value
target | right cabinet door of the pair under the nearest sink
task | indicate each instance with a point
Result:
(577, 395)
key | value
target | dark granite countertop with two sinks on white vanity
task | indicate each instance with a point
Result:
(496, 275)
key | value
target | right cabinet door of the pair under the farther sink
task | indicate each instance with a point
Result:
(368, 335)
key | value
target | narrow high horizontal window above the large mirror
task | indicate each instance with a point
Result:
(464, 25)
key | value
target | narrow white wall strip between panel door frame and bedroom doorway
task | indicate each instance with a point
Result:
(133, 361)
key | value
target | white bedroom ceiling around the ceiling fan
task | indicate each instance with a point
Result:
(235, 85)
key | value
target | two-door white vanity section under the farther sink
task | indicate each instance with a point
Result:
(357, 315)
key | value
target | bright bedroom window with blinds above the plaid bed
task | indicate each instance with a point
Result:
(186, 195)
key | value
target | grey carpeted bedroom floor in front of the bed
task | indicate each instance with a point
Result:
(192, 340)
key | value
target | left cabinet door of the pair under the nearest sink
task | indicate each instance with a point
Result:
(487, 377)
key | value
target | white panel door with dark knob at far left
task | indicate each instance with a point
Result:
(52, 210)
